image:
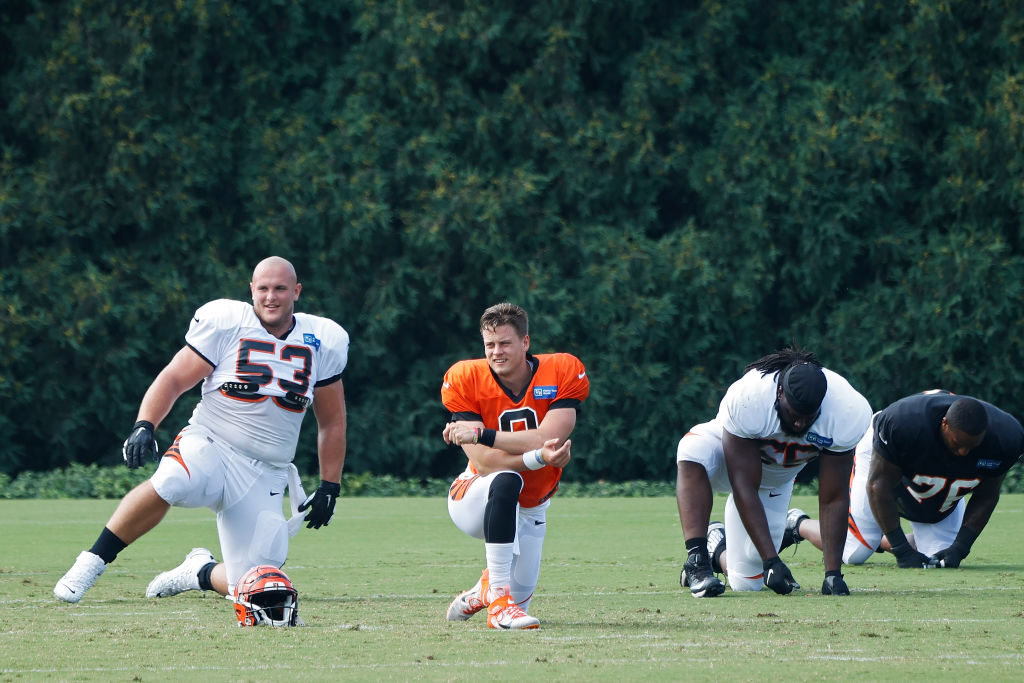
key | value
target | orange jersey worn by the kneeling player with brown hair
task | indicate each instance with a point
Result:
(472, 393)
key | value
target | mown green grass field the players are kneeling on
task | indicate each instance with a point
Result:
(375, 584)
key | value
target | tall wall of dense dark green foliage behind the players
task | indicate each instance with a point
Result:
(671, 189)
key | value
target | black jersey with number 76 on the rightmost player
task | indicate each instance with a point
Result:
(908, 434)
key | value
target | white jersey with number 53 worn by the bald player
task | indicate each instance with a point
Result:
(262, 387)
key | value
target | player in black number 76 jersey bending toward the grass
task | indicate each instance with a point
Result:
(920, 461)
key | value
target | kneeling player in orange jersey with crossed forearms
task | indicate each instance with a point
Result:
(513, 414)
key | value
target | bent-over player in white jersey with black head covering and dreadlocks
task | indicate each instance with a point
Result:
(786, 411)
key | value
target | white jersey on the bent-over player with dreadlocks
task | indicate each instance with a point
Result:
(749, 411)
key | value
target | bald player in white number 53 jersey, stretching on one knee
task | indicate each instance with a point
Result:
(263, 366)
